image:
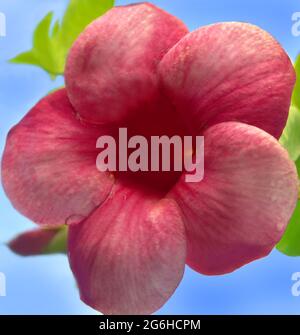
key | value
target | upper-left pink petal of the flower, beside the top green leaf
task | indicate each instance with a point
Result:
(111, 69)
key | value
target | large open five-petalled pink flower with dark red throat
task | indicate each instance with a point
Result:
(131, 234)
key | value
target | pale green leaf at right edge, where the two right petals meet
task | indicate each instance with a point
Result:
(290, 138)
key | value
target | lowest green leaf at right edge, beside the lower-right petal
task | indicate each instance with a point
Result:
(290, 243)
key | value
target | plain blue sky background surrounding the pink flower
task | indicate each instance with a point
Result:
(44, 285)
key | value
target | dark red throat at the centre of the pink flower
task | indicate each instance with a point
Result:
(160, 120)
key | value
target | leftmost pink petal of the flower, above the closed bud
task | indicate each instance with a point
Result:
(49, 164)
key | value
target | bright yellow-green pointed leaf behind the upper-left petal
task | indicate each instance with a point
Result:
(51, 42)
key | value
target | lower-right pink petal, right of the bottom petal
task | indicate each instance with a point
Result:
(240, 210)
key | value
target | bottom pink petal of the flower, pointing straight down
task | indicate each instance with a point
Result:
(129, 255)
